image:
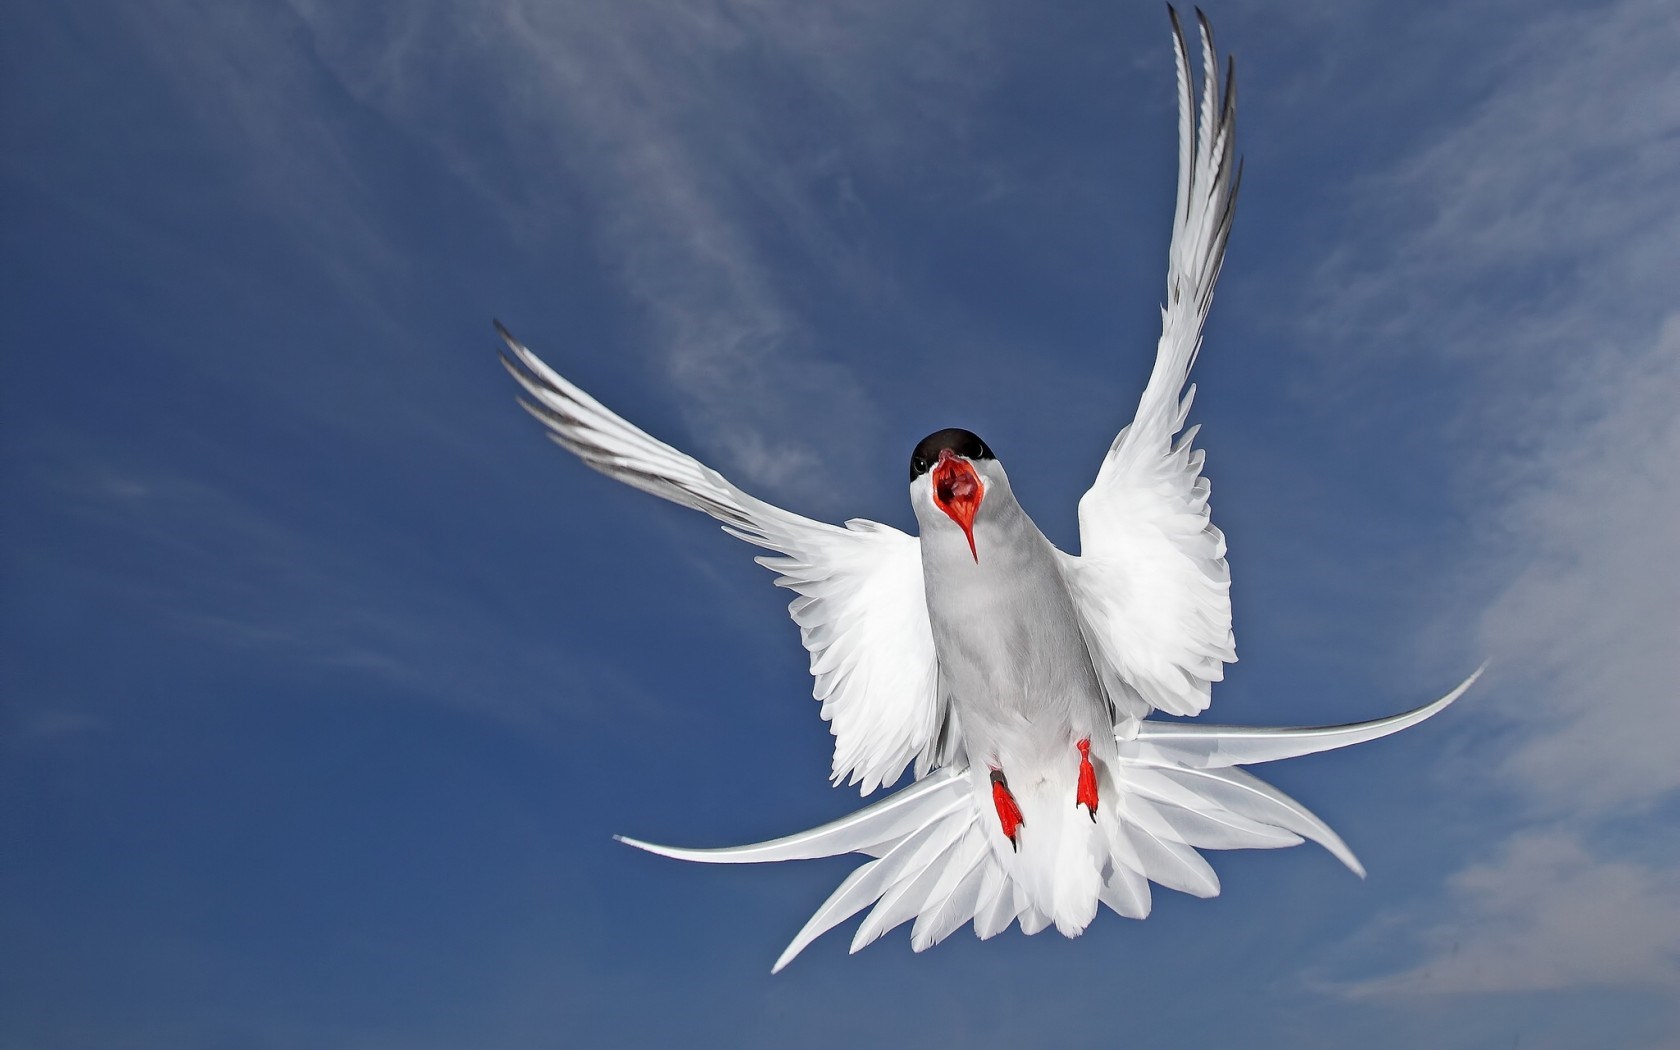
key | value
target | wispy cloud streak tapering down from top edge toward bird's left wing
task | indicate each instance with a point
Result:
(713, 154)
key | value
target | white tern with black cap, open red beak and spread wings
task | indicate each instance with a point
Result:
(1017, 681)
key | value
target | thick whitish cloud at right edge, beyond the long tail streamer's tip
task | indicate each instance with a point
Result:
(1590, 624)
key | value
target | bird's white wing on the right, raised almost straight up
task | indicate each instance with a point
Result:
(1152, 579)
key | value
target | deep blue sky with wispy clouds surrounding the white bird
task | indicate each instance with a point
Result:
(325, 680)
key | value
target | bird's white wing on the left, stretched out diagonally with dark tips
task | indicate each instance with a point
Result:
(863, 612)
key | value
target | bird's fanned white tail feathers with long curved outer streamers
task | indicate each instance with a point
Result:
(1180, 790)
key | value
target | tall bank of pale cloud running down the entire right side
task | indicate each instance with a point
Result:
(1530, 249)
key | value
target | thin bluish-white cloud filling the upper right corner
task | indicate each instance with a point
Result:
(1536, 231)
